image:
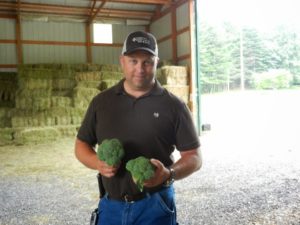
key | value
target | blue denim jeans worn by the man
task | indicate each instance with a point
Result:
(156, 209)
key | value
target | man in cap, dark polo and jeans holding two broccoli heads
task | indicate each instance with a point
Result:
(150, 122)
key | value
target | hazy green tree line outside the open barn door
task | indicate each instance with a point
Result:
(262, 60)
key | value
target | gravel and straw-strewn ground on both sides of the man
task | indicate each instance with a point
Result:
(250, 173)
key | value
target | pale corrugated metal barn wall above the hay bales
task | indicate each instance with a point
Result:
(64, 42)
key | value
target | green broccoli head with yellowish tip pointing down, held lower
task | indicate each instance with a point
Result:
(141, 169)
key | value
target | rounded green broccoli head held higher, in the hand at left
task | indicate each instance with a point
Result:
(111, 151)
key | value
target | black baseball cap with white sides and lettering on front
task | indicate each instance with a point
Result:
(140, 40)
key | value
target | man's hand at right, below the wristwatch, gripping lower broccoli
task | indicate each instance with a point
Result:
(160, 176)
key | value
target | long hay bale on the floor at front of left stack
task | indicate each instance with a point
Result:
(36, 135)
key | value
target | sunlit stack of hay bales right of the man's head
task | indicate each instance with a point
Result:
(175, 79)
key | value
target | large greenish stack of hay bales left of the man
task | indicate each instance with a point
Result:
(47, 101)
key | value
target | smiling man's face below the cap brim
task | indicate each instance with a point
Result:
(139, 70)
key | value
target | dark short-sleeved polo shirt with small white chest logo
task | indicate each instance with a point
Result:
(152, 125)
